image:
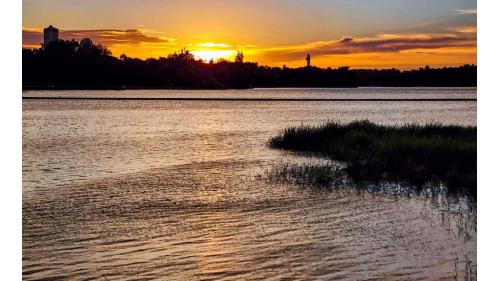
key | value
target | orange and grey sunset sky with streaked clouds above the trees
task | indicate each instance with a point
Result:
(361, 34)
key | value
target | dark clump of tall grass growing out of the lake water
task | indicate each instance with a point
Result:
(414, 153)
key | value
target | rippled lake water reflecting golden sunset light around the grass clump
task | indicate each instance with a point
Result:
(169, 190)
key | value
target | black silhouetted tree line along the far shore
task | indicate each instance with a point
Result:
(64, 64)
